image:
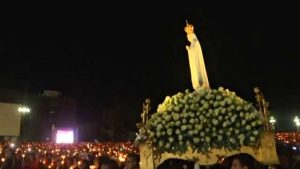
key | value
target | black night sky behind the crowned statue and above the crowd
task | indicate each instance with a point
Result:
(111, 61)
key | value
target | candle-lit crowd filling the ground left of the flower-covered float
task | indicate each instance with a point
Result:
(109, 155)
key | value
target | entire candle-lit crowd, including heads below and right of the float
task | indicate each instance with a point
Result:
(124, 155)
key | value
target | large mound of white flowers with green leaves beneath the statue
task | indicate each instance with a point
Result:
(203, 119)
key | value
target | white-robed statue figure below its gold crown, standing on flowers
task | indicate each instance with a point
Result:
(197, 65)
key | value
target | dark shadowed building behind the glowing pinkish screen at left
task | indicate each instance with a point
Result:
(48, 110)
